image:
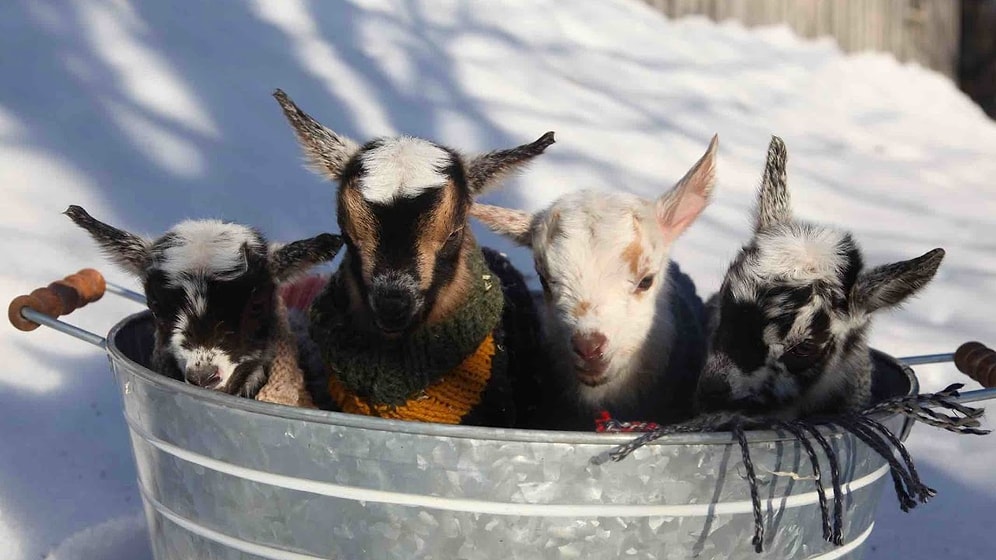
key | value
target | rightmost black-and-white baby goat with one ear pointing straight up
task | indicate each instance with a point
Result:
(788, 326)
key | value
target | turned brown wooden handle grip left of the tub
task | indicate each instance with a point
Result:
(59, 298)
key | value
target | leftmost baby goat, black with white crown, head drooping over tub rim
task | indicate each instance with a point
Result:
(211, 288)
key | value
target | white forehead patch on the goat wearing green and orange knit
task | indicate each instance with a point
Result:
(402, 167)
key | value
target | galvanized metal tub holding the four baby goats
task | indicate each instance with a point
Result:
(224, 478)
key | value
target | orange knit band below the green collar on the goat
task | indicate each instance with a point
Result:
(445, 401)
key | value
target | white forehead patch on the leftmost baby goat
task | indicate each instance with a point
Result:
(206, 247)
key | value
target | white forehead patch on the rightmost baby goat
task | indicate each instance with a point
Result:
(800, 254)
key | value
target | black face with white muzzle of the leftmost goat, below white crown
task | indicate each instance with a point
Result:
(198, 316)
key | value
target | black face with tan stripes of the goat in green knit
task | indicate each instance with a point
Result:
(403, 252)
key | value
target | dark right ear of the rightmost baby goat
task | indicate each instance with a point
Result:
(889, 285)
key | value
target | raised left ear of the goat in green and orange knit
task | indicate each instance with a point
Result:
(325, 151)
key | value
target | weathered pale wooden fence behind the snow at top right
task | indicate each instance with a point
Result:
(925, 31)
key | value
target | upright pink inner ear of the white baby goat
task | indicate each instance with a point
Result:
(678, 208)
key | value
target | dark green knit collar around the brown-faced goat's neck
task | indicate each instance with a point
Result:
(391, 371)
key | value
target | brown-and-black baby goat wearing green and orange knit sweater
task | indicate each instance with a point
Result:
(419, 323)
